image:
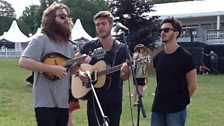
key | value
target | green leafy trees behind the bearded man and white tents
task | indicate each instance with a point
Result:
(31, 17)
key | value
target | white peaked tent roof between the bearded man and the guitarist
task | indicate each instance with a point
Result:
(79, 32)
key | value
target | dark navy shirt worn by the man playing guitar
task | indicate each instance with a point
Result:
(114, 92)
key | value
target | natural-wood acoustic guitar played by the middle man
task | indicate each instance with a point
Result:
(98, 74)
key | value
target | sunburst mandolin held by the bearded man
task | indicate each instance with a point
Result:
(55, 58)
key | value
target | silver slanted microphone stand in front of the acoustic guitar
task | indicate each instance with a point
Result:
(89, 84)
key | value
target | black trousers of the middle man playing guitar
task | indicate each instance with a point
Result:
(112, 110)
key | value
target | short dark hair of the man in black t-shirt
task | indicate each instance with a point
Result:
(177, 26)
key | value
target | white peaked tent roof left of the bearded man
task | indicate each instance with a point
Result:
(14, 34)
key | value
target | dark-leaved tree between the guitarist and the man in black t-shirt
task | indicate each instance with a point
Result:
(130, 13)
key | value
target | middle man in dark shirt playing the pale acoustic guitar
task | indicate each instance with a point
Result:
(110, 96)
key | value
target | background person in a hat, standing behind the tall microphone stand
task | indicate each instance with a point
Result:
(140, 71)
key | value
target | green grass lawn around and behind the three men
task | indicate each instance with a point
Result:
(206, 108)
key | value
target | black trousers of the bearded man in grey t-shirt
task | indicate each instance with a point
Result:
(51, 116)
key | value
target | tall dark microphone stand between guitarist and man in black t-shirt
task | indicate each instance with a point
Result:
(140, 103)
